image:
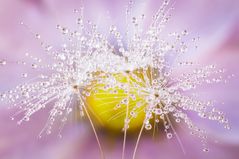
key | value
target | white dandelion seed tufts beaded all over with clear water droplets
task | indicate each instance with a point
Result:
(88, 57)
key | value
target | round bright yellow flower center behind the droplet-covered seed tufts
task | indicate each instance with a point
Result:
(111, 104)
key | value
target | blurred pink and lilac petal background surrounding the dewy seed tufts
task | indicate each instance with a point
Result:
(215, 21)
